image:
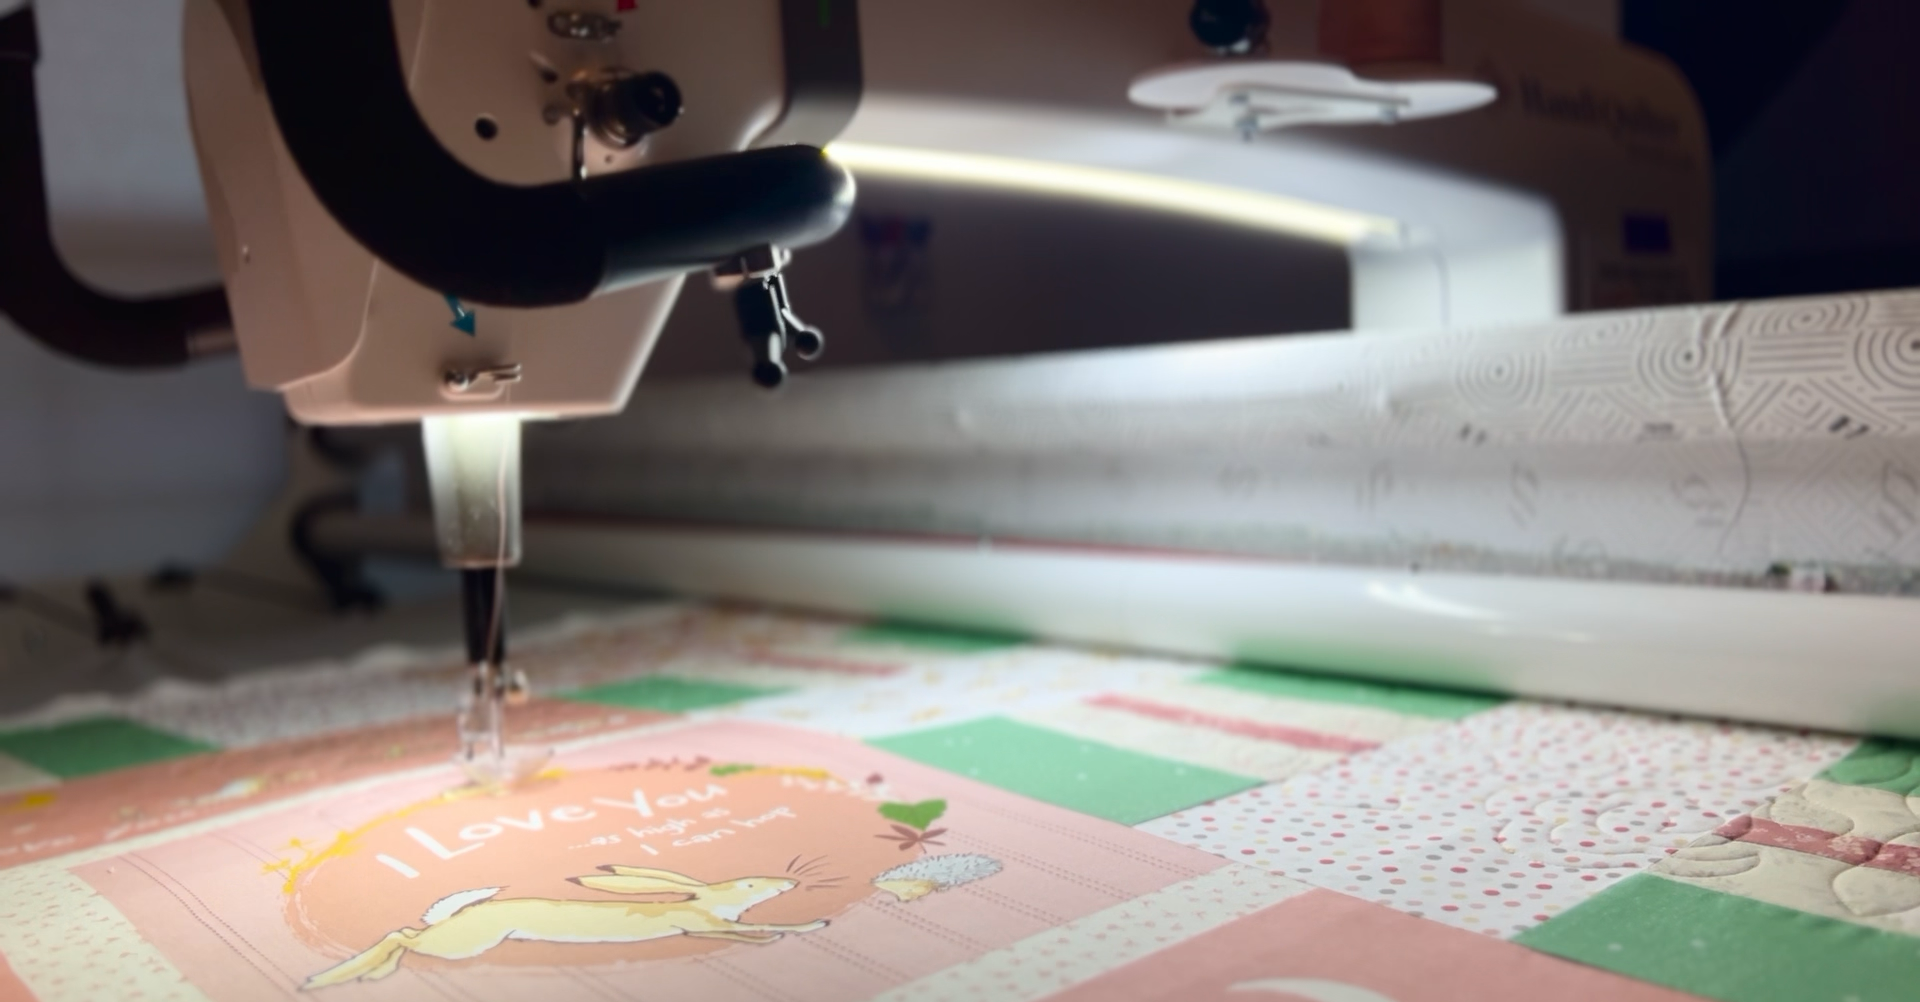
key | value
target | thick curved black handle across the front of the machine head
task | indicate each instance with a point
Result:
(339, 93)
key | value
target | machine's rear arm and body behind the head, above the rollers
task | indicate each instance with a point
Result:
(1510, 212)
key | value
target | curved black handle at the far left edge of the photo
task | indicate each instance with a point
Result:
(37, 291)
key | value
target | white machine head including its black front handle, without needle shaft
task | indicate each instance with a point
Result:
(498, 250)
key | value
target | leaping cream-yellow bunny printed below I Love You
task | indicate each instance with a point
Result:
(473, 922)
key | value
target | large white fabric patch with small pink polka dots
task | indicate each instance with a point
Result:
(1510, 817)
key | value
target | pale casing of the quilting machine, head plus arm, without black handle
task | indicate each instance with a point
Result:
(1514, 212)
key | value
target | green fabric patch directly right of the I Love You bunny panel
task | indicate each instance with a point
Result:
(1086, 776)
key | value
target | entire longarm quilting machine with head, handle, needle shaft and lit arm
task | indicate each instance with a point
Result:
(471, 216)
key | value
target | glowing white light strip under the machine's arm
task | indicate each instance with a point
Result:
(1216, 203)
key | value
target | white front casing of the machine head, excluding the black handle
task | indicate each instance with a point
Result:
(348, 341)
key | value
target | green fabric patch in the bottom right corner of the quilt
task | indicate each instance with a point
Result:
(1731, 947)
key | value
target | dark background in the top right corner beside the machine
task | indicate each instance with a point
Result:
(1813, 108)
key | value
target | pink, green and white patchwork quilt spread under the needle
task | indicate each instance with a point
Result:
(765, 807)
